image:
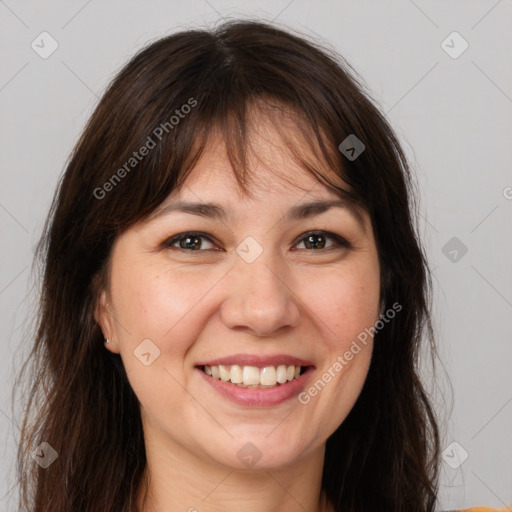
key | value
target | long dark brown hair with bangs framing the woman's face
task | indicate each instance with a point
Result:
(174, 93)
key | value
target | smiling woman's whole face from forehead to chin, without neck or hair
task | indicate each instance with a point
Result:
(250, 300)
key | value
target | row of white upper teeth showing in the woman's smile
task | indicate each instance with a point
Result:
(252, 375)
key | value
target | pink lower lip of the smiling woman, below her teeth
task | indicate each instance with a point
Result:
(258, 397)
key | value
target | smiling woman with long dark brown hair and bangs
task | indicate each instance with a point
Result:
(234, 294)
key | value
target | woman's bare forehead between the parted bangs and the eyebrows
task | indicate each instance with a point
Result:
(276, 153)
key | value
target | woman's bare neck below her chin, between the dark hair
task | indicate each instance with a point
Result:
(179, 480)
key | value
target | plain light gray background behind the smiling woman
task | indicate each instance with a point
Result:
(454, 116)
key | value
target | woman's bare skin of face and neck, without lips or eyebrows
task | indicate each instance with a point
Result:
(199, 305)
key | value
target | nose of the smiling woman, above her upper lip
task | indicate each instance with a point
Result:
(260, 297)
